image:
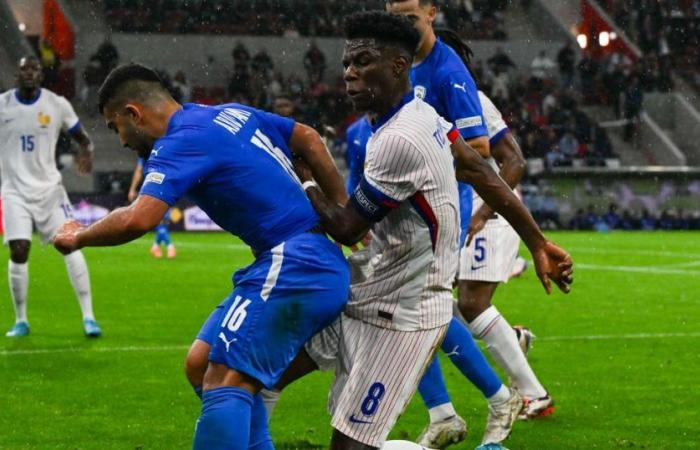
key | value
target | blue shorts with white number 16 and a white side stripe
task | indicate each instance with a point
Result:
(286, 296)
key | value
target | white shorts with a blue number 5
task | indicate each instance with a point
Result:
(491, 253)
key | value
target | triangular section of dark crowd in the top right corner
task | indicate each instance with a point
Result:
(666, 31)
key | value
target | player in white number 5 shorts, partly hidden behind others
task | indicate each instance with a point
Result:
(487, 260)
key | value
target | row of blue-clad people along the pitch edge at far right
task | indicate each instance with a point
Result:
(667, 219)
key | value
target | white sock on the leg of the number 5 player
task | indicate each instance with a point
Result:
(502, 343)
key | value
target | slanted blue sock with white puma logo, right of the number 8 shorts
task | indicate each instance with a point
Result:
(460, 347)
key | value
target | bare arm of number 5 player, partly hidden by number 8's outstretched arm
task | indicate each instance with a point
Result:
(510, 159)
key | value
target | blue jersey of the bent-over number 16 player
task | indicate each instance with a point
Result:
(234, 162)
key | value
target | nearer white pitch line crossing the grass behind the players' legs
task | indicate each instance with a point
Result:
(165, 348)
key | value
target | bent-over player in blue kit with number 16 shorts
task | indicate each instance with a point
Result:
(235, 163)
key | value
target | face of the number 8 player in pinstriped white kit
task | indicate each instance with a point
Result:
(368, 75)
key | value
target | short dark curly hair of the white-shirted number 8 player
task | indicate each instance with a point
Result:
(387, 28)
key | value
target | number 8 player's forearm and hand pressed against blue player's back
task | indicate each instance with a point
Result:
(342, 222)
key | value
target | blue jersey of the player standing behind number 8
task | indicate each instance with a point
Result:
(443, 81)
